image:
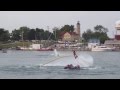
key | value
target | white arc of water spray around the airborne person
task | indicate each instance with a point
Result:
(84, 60)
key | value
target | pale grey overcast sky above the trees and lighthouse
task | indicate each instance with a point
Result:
(11, 20)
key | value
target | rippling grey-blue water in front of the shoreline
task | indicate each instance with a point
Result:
(26, 65)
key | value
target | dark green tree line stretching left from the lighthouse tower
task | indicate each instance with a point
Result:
(26, 33)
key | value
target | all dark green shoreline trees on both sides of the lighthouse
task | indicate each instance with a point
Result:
(26, 33)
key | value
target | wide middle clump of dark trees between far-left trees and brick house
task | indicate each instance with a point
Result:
(30, 34)
